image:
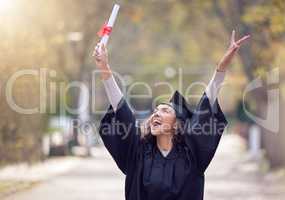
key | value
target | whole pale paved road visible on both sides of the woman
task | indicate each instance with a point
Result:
(98, 179)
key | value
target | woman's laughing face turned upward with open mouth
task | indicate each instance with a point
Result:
(162, 120)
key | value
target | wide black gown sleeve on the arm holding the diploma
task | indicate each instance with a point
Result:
(120, 135)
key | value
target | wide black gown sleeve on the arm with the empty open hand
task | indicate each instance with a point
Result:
(206, 127)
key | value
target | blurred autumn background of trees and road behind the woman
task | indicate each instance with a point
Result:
(177, 41)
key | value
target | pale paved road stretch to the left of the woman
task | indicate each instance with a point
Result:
(93, 179)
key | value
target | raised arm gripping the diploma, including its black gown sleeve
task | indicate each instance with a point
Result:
(117, 128)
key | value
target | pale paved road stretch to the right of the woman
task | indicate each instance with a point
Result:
(230, 176)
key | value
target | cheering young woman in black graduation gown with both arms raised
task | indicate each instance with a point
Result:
(165, 160)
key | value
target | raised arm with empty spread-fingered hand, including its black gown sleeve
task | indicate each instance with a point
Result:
(208, 121)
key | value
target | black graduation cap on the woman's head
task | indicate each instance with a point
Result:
(180, 105)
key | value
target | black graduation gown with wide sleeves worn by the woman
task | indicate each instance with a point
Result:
(149, 175)
